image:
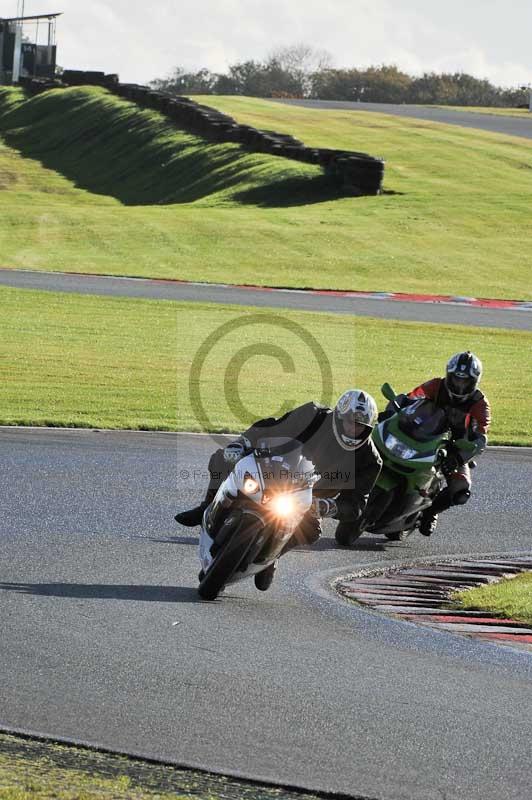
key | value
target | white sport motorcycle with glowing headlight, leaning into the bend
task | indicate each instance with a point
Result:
(254, 513)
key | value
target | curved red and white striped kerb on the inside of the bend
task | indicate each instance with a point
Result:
(423, 594)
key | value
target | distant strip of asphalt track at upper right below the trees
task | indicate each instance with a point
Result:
(494, 123)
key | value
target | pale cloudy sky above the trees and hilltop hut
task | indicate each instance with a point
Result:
(487, 38)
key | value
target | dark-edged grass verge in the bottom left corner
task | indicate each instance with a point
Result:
(38, 770)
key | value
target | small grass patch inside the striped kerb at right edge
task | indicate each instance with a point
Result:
(510, 598)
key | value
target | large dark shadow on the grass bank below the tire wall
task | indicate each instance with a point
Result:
(109, 147)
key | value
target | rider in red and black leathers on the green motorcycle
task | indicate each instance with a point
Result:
(469, 415)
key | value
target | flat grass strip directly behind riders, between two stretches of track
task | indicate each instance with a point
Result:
(115, 362)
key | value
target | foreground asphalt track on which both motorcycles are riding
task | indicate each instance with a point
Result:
(104, 639)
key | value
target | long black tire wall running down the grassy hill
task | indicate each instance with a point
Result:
(355, 173)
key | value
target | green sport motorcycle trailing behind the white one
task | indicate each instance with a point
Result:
(415, 445)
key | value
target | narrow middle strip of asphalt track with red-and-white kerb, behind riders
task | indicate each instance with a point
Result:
(442, 313)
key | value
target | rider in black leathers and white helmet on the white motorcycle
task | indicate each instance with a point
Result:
(337, 441)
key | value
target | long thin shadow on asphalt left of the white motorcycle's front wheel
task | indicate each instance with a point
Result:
(99, 591)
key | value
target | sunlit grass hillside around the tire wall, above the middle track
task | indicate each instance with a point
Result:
(91, 183)
